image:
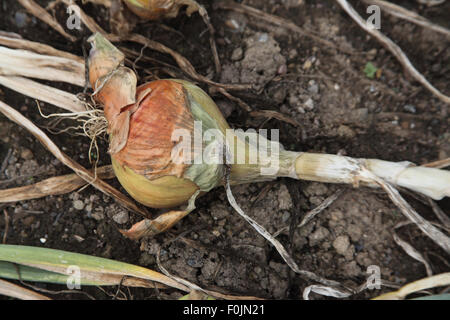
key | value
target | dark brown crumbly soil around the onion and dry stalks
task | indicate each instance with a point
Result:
(322, 87)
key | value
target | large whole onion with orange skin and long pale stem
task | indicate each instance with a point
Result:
(144, 124)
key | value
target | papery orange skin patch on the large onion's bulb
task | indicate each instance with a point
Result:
(148, 150)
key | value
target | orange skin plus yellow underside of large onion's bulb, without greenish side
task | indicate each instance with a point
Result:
(144, 166)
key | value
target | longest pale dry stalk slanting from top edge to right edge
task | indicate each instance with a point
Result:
(394, 49)
